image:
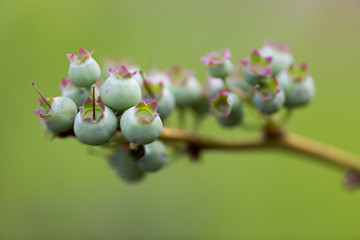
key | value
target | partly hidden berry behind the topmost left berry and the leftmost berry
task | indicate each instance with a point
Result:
(78, 95)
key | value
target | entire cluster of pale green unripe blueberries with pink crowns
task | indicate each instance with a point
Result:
(134, 104)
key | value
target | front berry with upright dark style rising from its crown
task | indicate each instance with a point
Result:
(96, 131)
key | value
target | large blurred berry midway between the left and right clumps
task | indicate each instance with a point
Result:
(184, 86)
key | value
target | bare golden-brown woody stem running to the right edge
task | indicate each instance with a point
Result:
(288, 141)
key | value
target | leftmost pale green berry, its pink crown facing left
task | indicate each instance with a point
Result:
(60, 117)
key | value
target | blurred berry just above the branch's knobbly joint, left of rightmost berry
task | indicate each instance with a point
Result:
(269, 97)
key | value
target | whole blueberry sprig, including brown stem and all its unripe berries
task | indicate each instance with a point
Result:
(126, 113)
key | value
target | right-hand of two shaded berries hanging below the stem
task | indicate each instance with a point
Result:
(154, 158)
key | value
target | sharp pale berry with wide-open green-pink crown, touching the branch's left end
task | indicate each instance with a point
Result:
(141, 124)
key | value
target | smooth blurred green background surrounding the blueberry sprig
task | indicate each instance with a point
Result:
(56, 190)
